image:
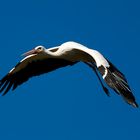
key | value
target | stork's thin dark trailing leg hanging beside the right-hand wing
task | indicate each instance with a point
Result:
(94, 68)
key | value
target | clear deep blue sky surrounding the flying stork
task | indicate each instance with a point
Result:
(69, 104)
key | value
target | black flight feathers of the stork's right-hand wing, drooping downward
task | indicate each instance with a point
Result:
(117, 81)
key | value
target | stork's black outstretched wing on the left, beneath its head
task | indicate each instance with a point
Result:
(28, 67)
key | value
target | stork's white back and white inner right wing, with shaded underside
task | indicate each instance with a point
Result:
(83, 53)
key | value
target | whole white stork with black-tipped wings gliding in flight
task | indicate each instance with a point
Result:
(41, 60)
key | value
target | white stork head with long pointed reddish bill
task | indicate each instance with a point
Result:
(36, 50)
